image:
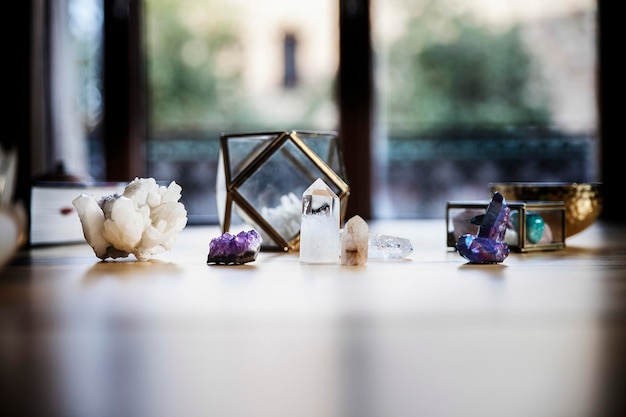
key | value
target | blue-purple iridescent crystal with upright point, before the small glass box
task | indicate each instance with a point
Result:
(488, 247)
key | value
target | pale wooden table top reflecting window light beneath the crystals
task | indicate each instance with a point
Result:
(541, 335)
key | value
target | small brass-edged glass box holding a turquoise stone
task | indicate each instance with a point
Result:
(533, 226)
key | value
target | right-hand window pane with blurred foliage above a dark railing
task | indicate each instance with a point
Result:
(475, 92)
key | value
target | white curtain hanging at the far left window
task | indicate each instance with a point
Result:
(58, 135)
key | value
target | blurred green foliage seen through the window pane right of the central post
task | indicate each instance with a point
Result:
(447, 71)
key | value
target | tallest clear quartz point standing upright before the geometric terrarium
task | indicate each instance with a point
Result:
(320, 225)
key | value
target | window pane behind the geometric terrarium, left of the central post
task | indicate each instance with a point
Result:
(237, 65)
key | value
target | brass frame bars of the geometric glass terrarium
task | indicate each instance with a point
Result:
(329, 166)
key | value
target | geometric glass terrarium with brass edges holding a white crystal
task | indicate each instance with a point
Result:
(261, 177)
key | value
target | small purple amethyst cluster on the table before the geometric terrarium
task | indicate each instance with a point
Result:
(229, 249)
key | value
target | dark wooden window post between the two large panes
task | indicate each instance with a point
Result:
(355, 102)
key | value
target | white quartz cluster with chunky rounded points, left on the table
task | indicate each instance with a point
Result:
(143, 221)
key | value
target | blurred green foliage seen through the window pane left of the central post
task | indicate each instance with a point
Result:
(193, 71)
